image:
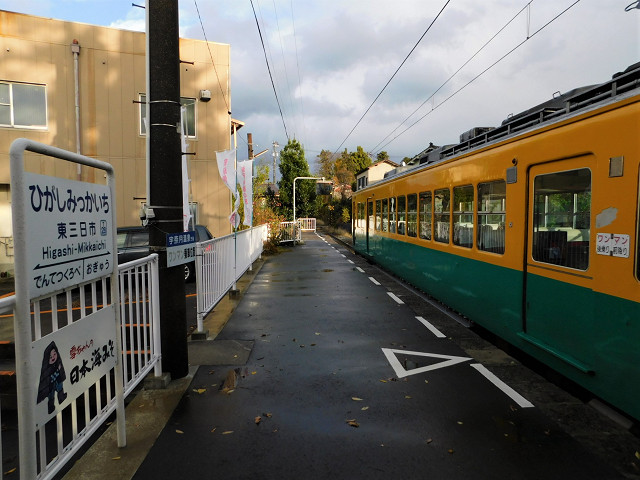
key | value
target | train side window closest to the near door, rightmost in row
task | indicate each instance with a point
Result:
(492, 205)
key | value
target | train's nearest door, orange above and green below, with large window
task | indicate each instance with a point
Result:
(558, 300)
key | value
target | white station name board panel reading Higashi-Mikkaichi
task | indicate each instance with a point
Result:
(69, 238)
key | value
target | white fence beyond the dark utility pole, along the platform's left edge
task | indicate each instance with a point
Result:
(221, 262)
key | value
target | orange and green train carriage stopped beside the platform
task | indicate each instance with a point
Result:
(530, 230)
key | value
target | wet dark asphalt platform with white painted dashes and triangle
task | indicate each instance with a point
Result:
(328, 368)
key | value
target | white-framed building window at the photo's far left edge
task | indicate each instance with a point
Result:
(23, 105)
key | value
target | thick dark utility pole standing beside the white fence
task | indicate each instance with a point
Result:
(165, 176)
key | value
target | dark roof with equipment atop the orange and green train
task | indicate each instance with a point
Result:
(571, 102)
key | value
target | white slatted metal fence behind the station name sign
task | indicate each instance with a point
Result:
(61, 437)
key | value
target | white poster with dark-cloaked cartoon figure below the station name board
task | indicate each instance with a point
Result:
(67, 362)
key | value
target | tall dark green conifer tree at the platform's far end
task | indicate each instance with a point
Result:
(293, 164)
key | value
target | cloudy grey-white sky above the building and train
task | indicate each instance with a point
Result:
(467, 63)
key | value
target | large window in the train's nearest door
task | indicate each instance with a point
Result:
(561, 218)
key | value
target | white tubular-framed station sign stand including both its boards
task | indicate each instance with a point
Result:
(65, 235)
